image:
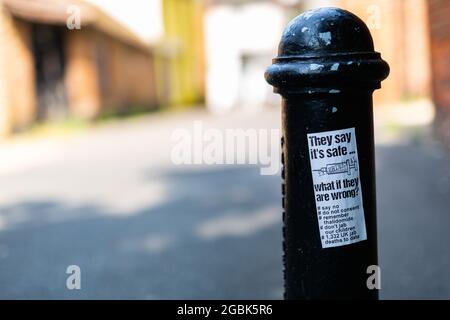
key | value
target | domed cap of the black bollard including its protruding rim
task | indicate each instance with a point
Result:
(326, 50)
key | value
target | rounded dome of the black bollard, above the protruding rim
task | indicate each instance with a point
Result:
(324, 31)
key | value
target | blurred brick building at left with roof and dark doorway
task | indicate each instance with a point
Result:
(49, 72)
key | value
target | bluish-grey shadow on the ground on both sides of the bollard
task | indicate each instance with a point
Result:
(217, 235)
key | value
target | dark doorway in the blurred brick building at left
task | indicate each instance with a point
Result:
(48, 47)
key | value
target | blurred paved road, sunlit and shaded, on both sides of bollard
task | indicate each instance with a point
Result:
(112, 202)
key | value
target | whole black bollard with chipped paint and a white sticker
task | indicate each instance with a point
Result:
(326, 72)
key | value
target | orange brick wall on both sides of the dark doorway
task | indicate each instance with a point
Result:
(102, 74)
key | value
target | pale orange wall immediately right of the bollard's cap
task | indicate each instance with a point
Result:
(400, 32)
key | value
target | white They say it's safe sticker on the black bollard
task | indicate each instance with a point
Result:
(337, 187)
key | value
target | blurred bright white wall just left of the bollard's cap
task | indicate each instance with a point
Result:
(252, 30)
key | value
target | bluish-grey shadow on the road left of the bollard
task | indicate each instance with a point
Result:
(218, 235)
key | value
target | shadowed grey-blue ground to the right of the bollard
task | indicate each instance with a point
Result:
(413, 183)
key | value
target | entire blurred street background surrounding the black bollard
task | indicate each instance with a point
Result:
(90, 95)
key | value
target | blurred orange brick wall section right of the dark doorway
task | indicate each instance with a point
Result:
(106, 75)
